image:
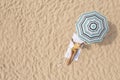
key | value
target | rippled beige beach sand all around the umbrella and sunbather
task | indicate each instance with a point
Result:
(34, 36)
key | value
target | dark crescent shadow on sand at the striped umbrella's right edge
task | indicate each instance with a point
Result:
(111, 35)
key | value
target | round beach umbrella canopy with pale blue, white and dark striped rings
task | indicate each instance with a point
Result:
(91, 27)
